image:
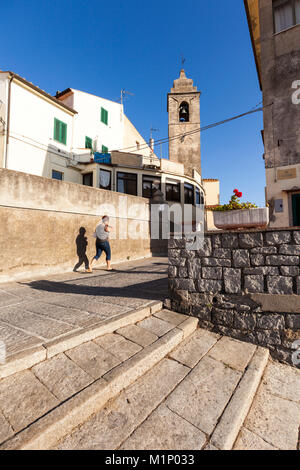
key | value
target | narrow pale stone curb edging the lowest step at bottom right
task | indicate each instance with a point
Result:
(227, 430)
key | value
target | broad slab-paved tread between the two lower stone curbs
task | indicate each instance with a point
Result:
(196, 398)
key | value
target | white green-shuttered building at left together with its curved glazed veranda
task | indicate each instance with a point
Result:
(56, 137)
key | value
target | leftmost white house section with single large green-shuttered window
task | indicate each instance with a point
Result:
(36, 132)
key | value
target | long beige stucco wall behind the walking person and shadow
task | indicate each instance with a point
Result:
(40, 219)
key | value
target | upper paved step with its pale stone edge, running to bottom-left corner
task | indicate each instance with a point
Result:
(42, 405)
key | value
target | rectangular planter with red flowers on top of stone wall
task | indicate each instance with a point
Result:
(240, 215)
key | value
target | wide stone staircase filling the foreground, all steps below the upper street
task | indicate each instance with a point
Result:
(150, 379)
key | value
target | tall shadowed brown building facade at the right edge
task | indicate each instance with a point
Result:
(275, 32)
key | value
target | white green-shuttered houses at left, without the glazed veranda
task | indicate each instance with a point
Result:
(46, 136)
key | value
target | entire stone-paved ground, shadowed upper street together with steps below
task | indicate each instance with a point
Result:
(153, 380)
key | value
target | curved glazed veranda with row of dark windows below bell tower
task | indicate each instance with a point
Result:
(143, 176)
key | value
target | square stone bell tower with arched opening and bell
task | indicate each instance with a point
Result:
(184, 117)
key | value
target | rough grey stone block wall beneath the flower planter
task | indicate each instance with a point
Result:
(242, 284)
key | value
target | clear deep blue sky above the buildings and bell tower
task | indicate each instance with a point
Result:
(103, 46)
